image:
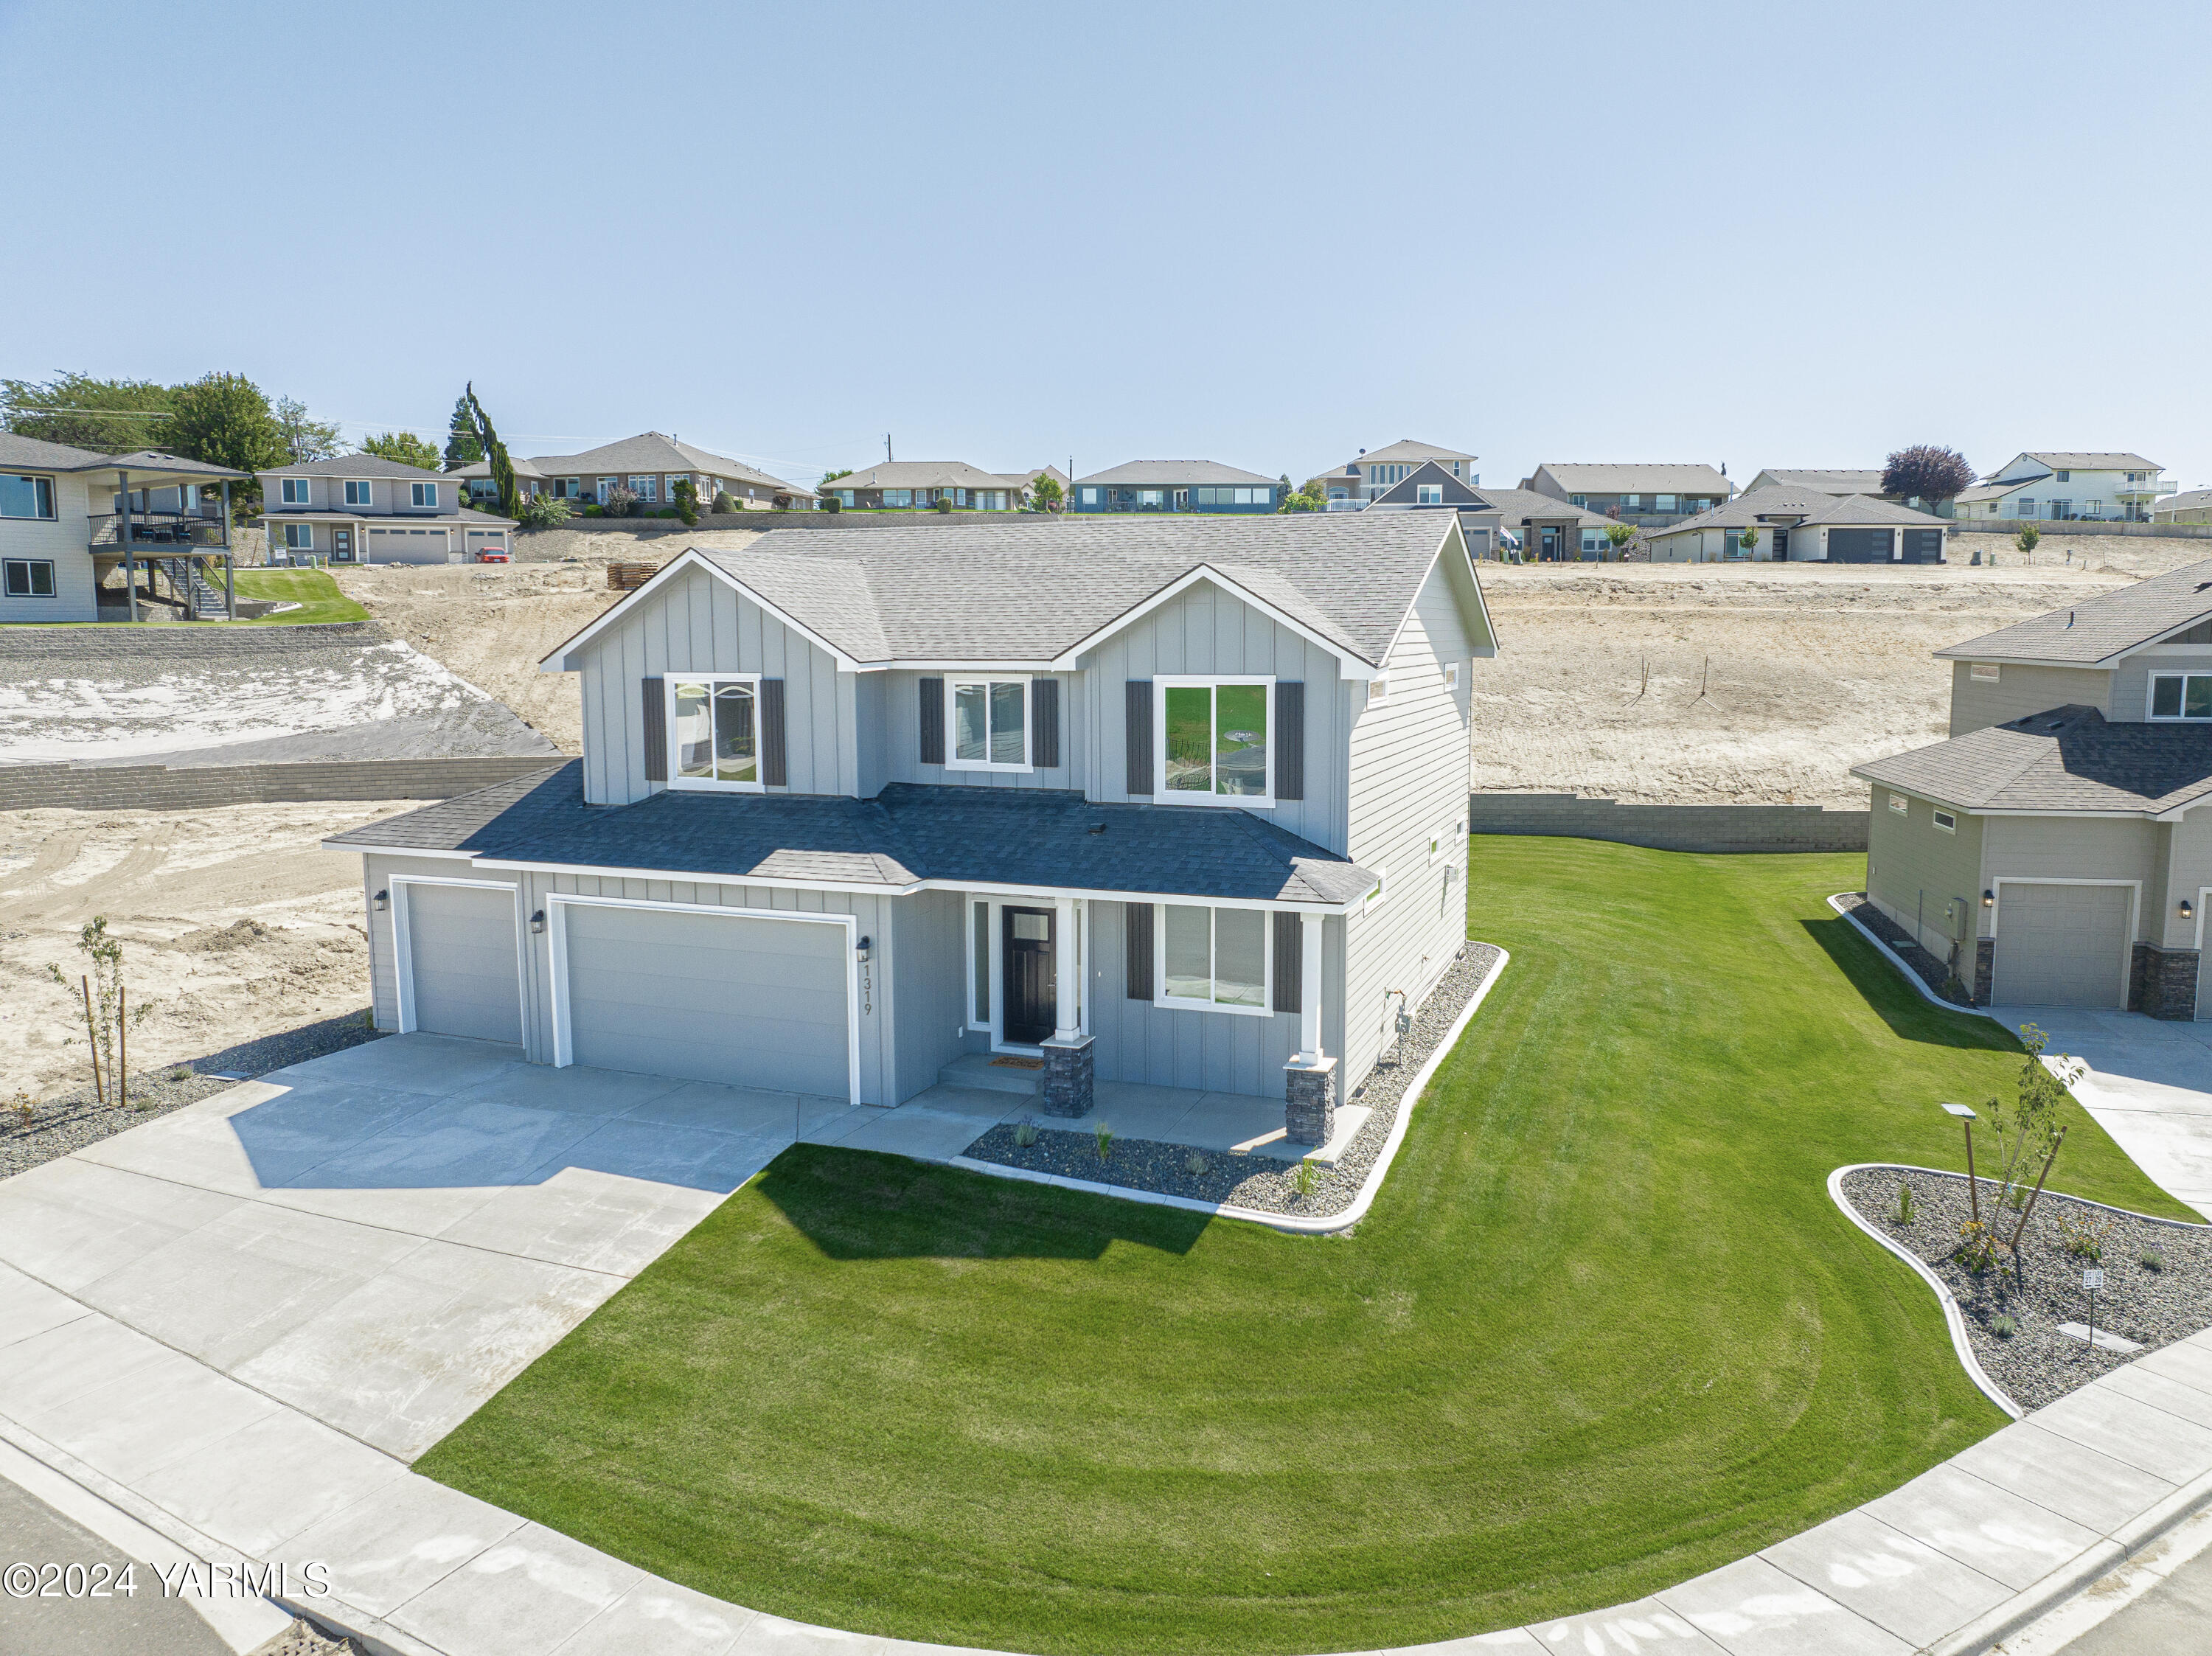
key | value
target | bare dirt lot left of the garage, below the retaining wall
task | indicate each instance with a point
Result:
(233, 921)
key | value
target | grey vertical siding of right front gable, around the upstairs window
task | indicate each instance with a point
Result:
(1209, 631)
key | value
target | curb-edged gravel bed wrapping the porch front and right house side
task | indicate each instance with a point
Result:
(1260, 1182)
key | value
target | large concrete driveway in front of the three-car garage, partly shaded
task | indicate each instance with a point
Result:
(386, 1237)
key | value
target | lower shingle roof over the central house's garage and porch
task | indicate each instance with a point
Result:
(901, 837)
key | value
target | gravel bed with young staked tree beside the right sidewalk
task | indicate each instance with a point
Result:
(2036, 1365)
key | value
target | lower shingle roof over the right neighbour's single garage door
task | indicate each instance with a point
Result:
(2067, 759)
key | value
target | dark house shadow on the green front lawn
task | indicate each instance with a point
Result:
(866, 1206)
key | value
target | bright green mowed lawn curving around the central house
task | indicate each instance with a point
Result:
(1603, 1330)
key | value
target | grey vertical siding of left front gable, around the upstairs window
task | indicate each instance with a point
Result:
(698, 625)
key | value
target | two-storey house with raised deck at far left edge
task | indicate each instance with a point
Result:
(81, 525)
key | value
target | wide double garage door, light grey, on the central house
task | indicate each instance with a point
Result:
(711, 998)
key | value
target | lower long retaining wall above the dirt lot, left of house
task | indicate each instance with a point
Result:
(182, 788)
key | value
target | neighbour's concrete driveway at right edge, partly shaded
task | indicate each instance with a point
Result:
(2149, 1084)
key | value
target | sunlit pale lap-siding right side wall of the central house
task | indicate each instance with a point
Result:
(1410, 777)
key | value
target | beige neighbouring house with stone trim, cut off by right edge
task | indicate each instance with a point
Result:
(2058, 848)
